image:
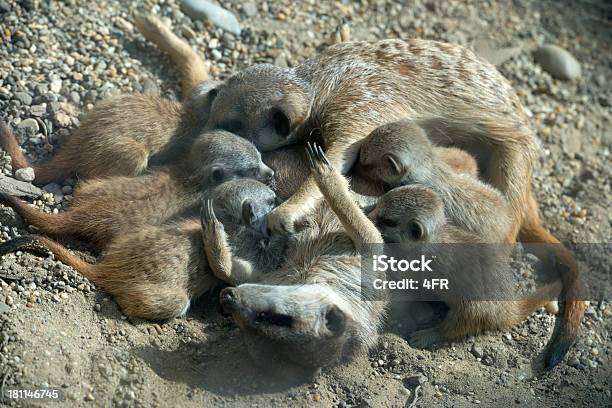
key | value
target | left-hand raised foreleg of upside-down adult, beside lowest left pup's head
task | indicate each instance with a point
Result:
(224, 265)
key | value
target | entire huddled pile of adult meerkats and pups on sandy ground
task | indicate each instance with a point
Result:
(434, 141)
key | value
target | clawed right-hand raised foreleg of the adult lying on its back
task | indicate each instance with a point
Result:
(335, 188)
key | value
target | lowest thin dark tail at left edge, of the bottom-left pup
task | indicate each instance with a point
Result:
(41, 244)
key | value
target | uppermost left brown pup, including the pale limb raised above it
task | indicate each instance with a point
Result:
(125, 135)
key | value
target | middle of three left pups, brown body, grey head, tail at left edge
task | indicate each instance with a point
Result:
(103, 208)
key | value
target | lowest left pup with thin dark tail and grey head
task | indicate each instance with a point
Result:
(154, 272)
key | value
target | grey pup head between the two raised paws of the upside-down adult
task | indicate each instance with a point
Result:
(244, 202)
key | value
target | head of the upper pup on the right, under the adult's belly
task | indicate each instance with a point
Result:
(397, 153)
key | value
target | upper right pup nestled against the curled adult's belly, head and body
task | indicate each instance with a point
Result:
(400, 153)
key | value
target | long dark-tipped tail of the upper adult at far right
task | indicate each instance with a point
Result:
(571, 306)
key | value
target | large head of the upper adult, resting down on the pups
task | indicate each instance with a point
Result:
(263, 103)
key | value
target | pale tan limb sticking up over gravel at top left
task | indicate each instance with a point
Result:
(192, 67)
